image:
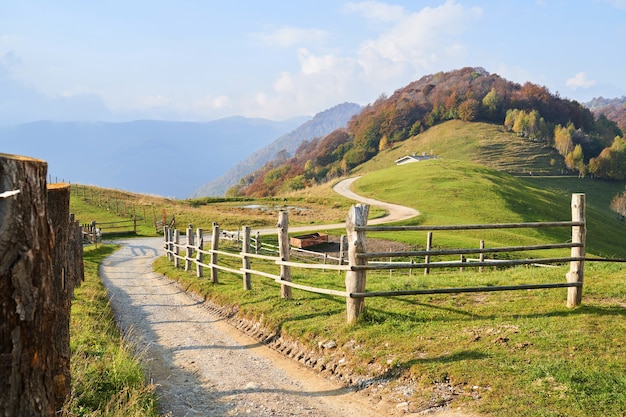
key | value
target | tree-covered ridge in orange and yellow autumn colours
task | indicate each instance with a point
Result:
(590, 145)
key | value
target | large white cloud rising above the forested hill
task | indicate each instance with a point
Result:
(409, 44)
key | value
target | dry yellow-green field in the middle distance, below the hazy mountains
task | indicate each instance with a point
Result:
(153, 212)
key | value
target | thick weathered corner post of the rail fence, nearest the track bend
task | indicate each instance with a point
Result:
(355, 280)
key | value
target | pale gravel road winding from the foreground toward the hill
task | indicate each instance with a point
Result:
(202, 366)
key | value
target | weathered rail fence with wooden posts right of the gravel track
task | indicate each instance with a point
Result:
(359, 260)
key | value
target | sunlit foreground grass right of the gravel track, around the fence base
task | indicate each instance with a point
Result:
(501, 354)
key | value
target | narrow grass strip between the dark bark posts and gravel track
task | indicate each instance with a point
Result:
(107, 378)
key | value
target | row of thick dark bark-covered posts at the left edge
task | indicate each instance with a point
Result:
(40, 264)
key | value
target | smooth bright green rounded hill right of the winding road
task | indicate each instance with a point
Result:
(458, 192)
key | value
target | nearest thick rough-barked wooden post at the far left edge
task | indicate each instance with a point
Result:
(27, 291)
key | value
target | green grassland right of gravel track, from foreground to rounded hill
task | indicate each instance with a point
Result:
(517, 353)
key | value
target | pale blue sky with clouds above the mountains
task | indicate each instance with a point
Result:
(201, 60)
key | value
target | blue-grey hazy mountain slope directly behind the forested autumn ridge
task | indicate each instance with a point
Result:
(320, 125)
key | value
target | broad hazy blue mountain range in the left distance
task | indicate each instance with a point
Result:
(164, 158)
